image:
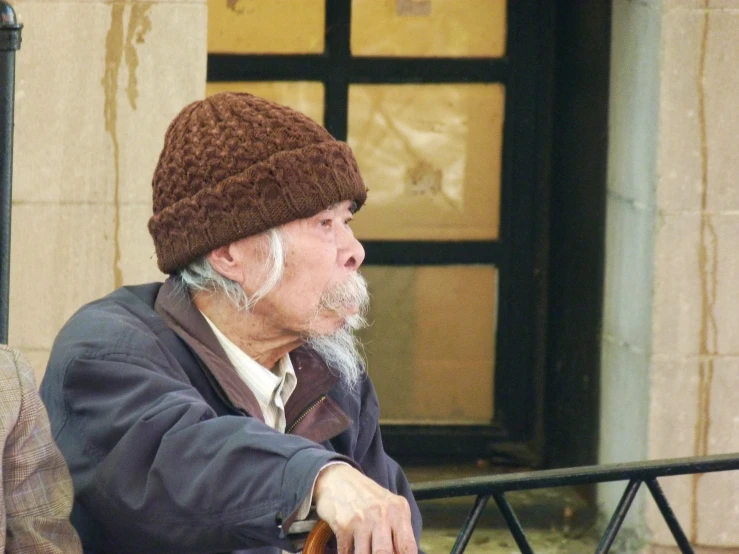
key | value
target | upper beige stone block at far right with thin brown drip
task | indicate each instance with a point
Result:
(698, 120)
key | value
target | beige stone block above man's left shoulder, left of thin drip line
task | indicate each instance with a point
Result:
(61, 258)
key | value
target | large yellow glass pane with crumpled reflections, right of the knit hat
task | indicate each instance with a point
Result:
(430, 156)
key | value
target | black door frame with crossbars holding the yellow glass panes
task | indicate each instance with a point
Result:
(516, 433)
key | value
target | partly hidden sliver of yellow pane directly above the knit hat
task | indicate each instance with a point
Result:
(304, 96)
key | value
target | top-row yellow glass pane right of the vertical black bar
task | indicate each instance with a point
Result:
(454, 28)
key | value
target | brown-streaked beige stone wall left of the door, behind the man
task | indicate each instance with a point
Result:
(97, 84)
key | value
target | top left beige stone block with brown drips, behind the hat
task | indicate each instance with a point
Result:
(93, 105)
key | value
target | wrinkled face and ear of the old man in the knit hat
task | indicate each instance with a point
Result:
(320, 253)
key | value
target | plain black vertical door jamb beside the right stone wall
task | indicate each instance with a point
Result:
(577, 236)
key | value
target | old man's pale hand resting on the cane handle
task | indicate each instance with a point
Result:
(366, 518)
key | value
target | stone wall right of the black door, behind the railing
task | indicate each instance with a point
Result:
(671, 334)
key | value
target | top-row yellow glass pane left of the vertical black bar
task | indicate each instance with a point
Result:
(266, 26)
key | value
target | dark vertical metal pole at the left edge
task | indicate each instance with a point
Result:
(10, 41)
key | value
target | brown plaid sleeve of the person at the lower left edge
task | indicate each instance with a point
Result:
(37, 487)
